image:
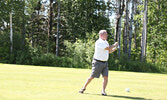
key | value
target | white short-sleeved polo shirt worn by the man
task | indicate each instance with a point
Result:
(100, 53)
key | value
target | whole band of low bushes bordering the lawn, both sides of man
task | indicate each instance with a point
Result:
(78, 55)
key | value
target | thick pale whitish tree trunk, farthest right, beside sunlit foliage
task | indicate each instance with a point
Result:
(144, 33)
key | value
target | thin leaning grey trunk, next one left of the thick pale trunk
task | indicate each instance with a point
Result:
(131, 29)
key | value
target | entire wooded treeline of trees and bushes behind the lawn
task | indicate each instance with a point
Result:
(63, 32)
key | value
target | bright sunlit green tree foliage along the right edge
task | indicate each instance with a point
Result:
(156, 52)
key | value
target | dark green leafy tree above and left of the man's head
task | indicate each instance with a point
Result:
(80, 17)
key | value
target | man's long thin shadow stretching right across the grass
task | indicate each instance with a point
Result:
(118, 96)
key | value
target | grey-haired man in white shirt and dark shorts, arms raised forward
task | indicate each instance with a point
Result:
(99, 63)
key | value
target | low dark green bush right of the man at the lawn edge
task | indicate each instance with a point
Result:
(123, 64)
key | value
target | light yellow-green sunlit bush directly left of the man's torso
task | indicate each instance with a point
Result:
(81, 52)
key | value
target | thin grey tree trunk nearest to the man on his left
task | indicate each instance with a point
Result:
(58, 30)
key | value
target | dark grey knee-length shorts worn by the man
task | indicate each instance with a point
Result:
(99, 68)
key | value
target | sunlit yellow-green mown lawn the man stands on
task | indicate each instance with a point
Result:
(20, 82)
